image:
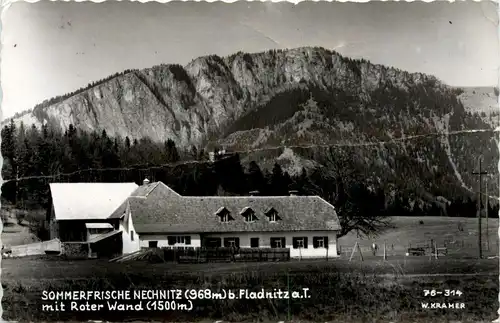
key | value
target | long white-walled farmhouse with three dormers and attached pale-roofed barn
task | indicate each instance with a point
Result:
(154, 215)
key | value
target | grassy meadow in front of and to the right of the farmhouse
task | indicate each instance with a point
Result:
(341, 291)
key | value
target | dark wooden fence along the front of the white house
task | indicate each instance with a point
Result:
(200, 255)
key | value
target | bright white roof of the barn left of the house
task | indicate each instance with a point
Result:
(88, 201)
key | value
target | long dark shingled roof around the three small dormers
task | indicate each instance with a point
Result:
(165, 212)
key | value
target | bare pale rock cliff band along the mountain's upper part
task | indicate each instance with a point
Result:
(169, 101)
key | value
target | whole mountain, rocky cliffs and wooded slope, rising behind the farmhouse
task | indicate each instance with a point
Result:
(392, 123)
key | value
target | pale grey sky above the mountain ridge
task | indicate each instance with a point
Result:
(51, 48)
